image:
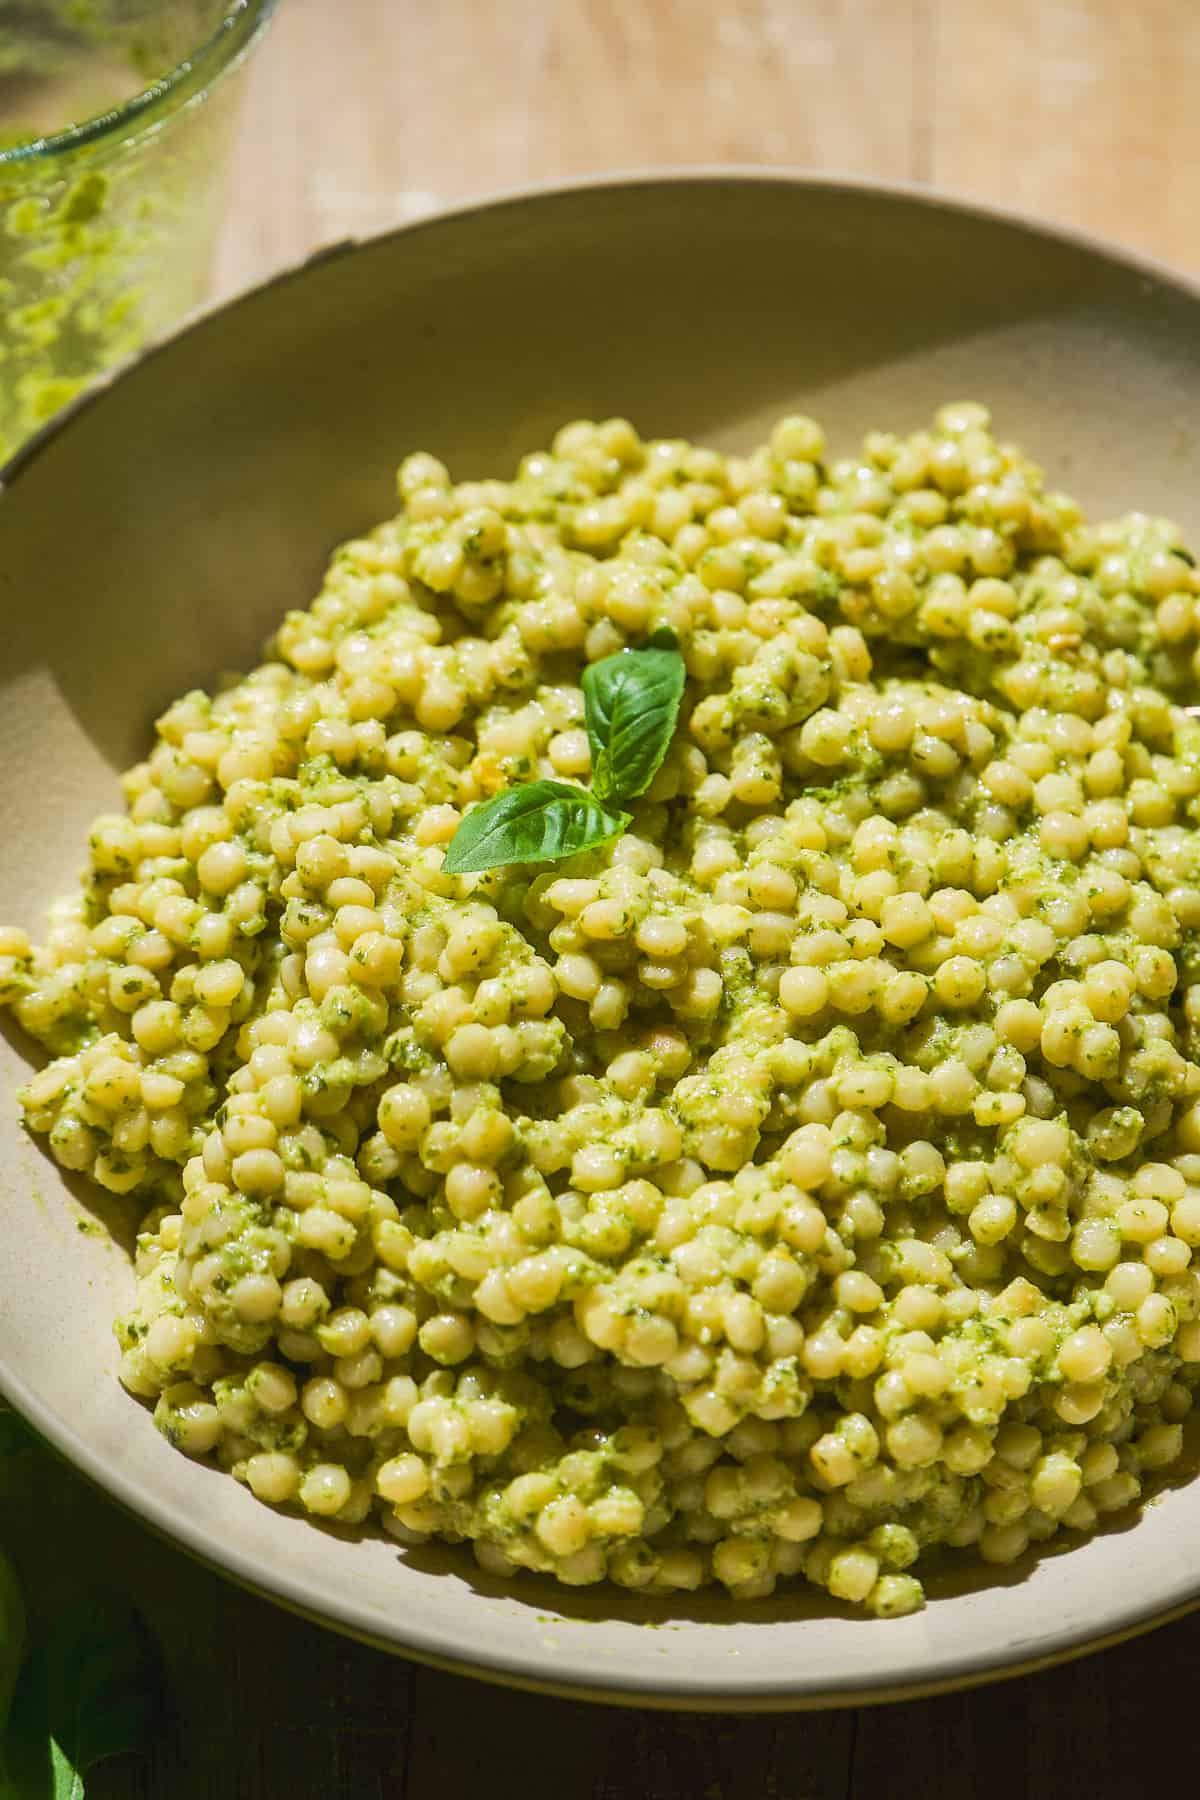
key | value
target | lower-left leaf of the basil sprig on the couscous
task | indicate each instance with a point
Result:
(537, 822)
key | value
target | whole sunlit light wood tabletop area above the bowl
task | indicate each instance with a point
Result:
(364, 118)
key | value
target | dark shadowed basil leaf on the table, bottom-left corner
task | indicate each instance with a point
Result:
(93, 1691)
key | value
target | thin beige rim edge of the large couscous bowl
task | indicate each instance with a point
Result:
(683, 1687)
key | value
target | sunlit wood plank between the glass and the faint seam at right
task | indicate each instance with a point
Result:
(395, 109)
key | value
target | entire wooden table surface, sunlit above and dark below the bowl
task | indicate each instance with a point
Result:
(368, 112)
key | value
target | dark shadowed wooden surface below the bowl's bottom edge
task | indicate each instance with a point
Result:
(265, 1707)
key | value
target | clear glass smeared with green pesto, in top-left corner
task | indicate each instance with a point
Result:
(107, 226)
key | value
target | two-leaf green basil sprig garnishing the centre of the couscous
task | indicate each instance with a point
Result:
(631, 706)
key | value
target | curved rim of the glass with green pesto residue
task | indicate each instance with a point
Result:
(193, 78)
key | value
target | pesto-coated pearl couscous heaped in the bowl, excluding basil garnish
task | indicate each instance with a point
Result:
(803, 1180)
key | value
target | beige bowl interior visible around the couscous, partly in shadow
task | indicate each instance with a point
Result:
(156, 537)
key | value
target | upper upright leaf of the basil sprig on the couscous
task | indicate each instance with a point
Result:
(632, 706)
